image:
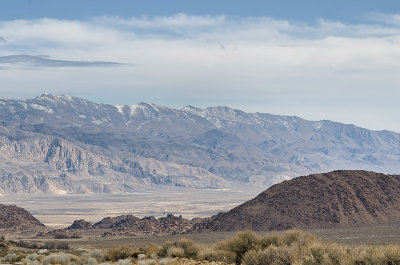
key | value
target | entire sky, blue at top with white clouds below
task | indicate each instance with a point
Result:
(336, 60)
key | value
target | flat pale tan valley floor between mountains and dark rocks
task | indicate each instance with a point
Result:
(60, 211)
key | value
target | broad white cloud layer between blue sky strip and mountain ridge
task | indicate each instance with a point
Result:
(327, 69)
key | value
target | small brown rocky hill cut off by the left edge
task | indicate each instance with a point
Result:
(16, 219)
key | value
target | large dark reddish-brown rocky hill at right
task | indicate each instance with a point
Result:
(336, 199)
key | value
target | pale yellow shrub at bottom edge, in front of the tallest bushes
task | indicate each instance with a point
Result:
(270, 256)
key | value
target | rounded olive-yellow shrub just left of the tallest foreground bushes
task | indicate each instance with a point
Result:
(190, 250)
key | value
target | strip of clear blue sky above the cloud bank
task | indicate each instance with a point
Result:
(349, 11)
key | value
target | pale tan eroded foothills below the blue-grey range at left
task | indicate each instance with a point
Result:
(52, 165)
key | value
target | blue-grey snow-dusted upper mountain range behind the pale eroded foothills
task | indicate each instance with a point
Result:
(226, 142)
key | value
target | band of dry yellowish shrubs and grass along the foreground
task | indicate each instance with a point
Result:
(248, 248)
